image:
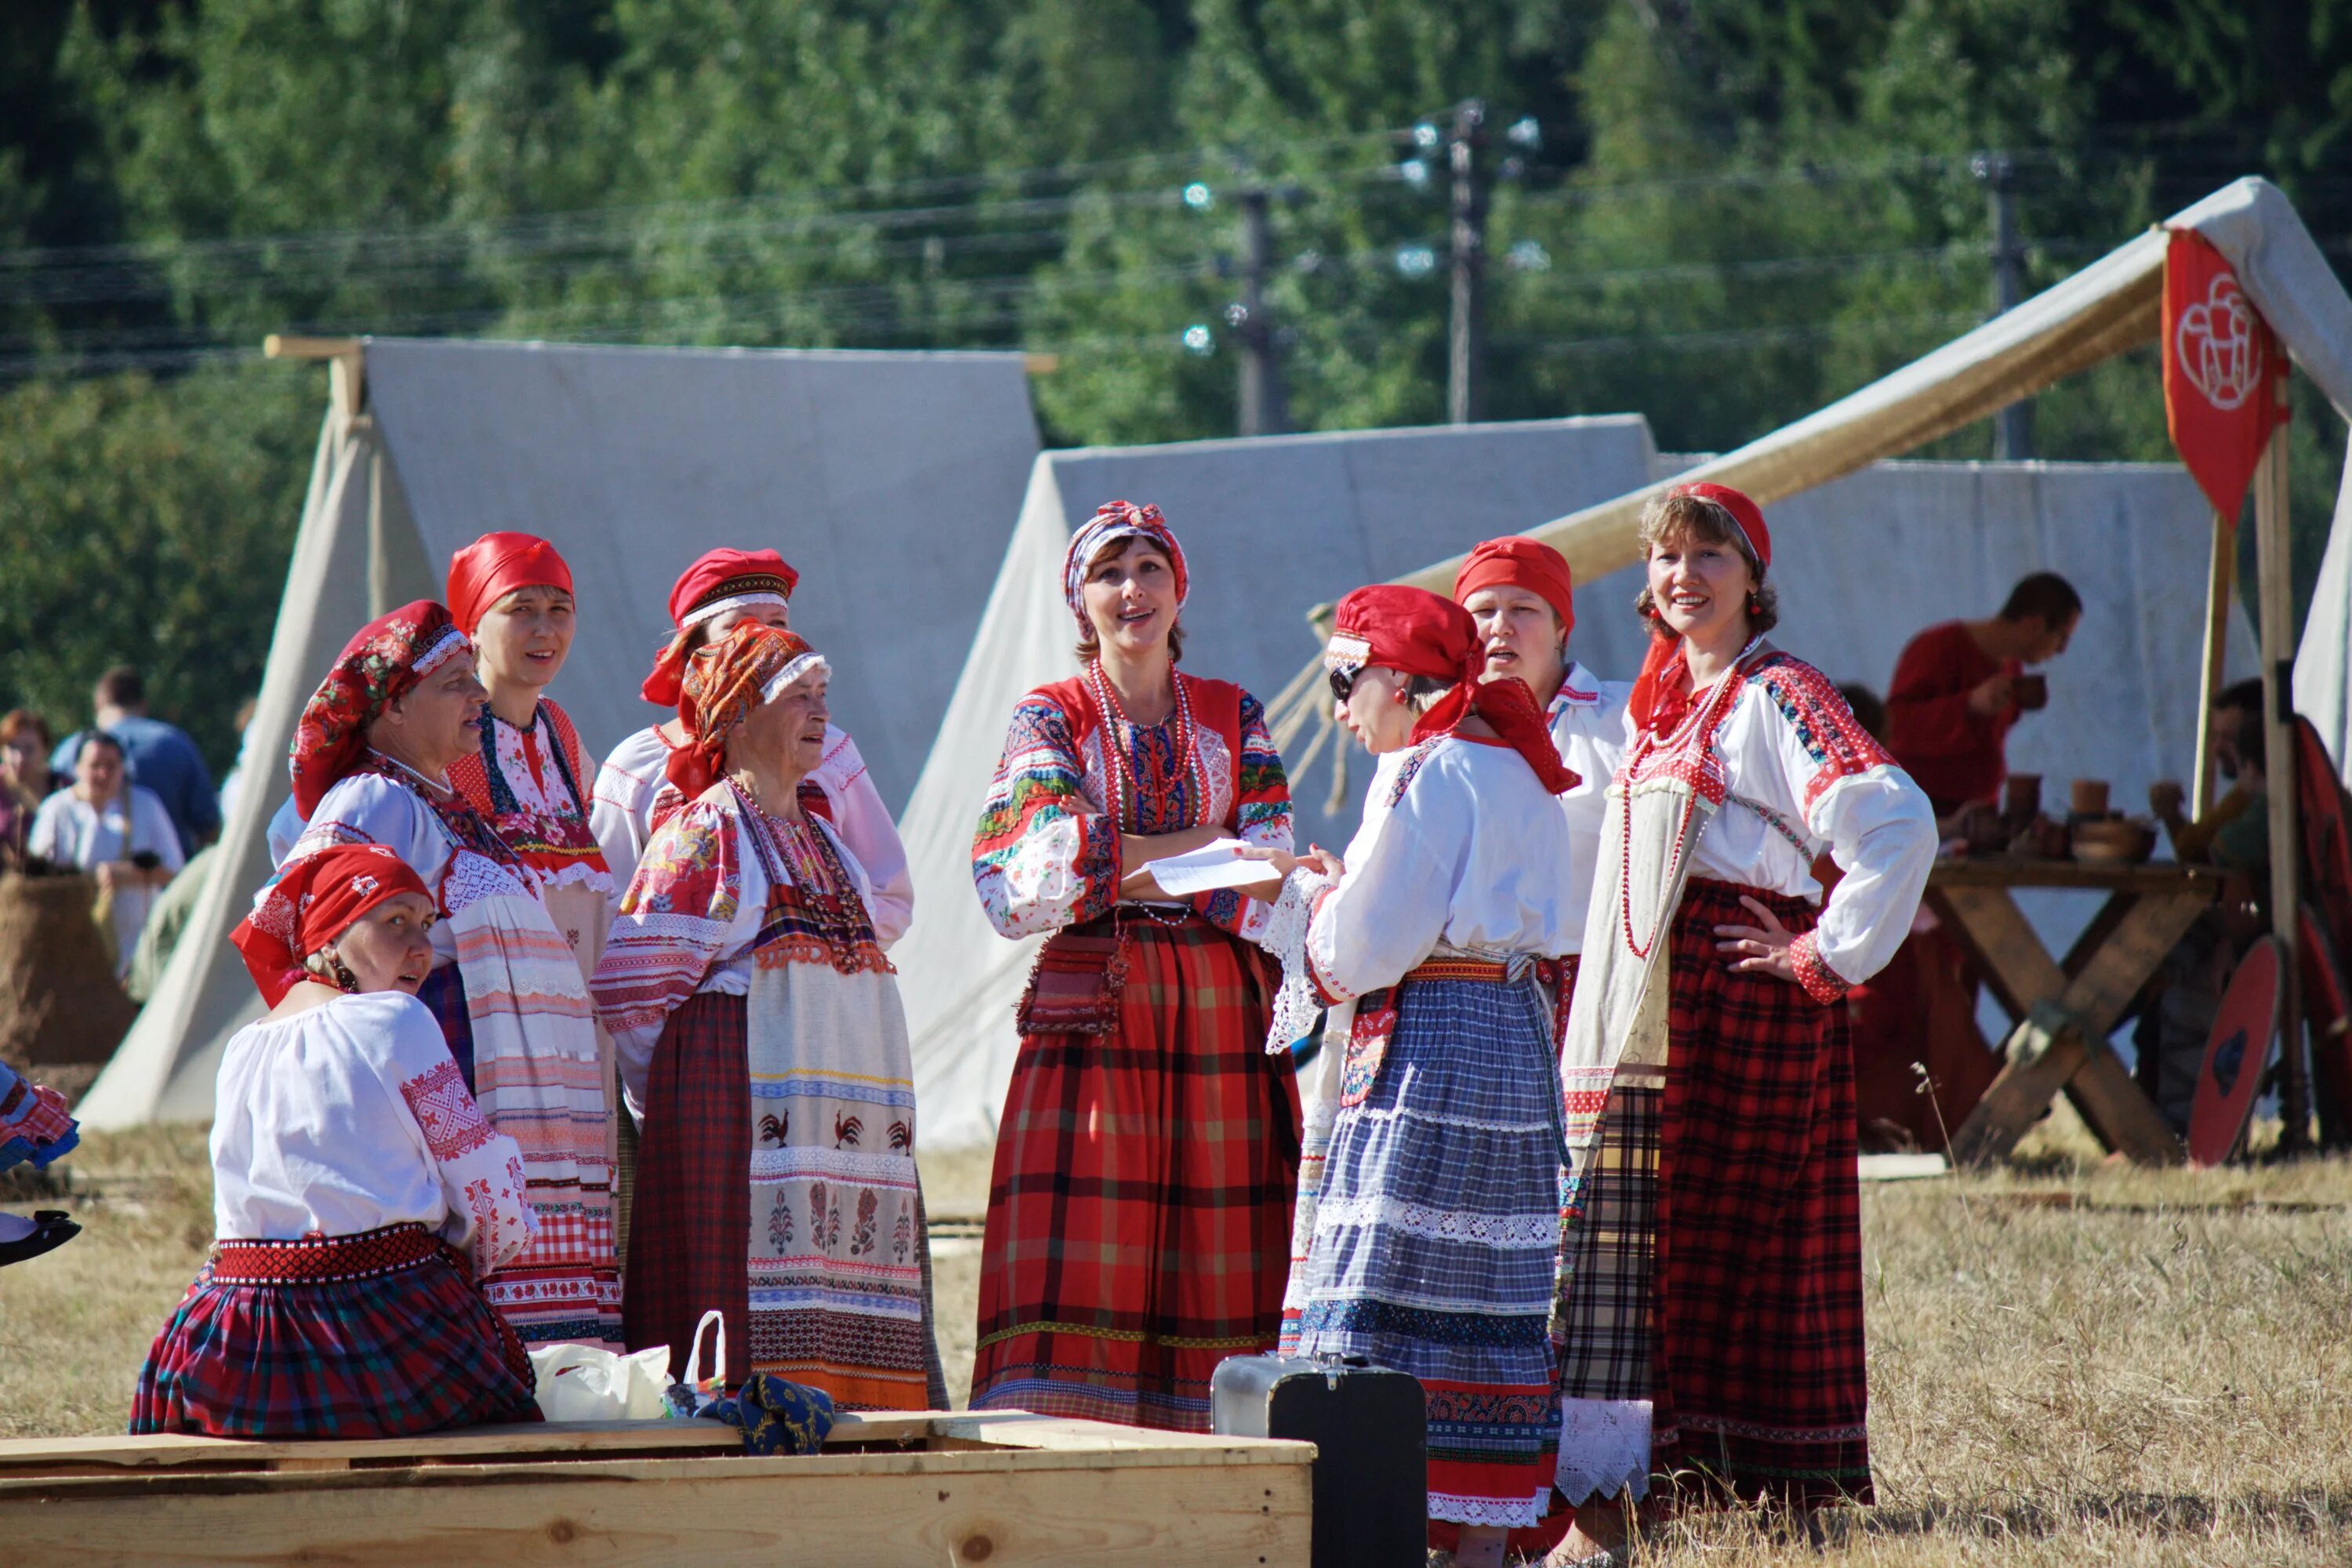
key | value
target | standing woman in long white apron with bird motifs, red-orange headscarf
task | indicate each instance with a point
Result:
(761, 1028)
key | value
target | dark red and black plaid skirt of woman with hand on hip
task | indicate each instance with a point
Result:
(1760, 1381)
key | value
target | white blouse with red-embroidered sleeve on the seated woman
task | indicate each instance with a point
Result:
(352, 1118)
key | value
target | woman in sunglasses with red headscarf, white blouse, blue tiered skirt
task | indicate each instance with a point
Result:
(1438, 1221)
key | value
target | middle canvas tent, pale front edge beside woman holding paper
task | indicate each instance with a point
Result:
(1271, 528)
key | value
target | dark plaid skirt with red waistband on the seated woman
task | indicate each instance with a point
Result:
(382, 1334)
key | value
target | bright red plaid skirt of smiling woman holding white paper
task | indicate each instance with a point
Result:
(1140, 1217)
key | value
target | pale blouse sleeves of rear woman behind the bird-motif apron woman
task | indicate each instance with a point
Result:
(634, 791)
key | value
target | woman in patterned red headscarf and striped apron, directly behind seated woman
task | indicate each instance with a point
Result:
(373, 763)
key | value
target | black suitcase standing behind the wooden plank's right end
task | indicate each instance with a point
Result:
(1370, 1433)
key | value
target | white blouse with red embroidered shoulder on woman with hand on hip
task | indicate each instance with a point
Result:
(1805, 779)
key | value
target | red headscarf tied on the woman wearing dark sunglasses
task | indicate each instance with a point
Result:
(1419, 634)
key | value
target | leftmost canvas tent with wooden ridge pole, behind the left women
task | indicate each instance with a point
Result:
(632, 462)
